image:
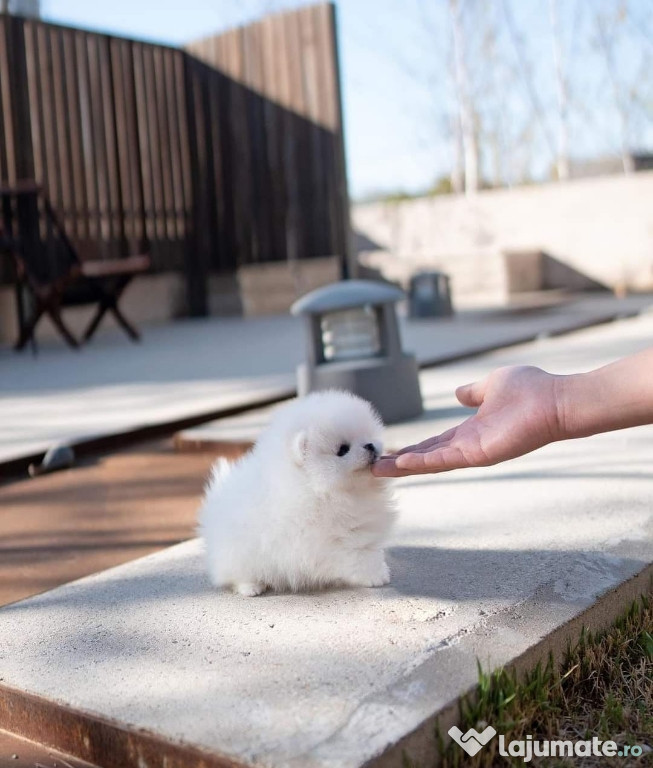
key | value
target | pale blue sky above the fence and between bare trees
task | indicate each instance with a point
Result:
(398, 98)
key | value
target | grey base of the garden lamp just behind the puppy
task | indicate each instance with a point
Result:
(392, 386)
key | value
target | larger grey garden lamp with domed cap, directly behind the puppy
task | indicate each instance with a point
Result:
(353, 343)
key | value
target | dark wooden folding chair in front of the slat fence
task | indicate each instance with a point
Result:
(50, 273)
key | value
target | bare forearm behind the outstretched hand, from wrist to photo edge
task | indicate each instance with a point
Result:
(616, 396)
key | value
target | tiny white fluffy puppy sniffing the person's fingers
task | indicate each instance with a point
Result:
(302, 509)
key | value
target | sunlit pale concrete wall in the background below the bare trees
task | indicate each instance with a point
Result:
(602, 227)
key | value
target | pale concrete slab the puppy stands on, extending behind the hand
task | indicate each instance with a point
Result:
(491, 564)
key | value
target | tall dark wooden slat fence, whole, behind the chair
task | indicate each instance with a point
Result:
(226, 155)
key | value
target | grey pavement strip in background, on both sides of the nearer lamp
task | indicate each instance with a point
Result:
(194, 367)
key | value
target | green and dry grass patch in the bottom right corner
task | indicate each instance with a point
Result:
(603, 688)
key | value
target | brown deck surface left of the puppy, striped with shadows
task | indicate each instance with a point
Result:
(60, 527)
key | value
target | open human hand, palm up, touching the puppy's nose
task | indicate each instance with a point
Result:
(518, 411)
